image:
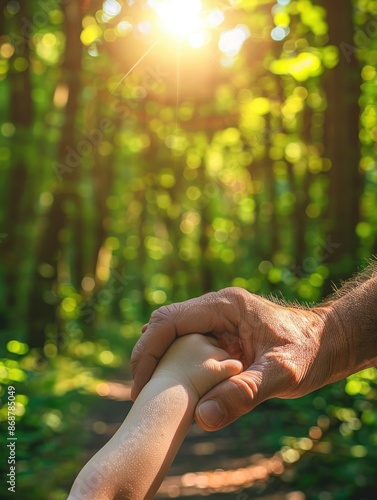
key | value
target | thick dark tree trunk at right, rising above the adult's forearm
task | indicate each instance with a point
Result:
(341, 143)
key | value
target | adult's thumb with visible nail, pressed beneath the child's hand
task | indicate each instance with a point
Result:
(232, 398)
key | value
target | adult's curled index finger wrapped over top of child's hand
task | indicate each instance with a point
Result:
(213, 312)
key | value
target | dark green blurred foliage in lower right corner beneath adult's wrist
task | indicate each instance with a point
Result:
(328, 443)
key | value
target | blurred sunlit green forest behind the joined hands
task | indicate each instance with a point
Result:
(152, 151)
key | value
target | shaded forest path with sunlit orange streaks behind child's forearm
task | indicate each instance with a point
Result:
(207, 464)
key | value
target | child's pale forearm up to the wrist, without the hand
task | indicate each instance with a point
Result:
(156, 424)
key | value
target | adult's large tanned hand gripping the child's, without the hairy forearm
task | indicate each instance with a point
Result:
(286, 352)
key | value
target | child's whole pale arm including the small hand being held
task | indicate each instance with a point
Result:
(136, 459)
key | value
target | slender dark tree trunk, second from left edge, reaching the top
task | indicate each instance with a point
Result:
(42, 314)
